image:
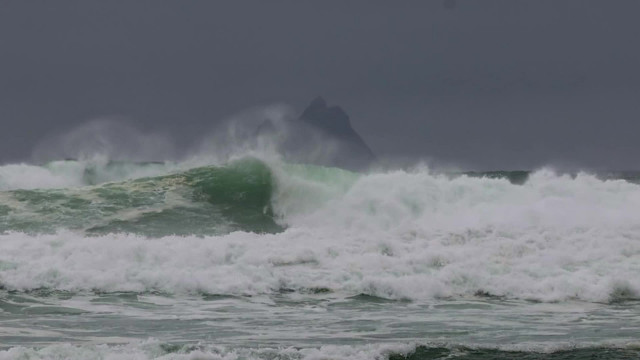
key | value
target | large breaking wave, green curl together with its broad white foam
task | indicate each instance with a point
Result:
(257, 227)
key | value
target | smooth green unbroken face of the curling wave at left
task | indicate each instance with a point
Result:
(207, 200)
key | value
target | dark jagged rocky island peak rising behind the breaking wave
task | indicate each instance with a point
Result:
(322, 135)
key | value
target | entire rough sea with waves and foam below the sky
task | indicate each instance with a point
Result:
(257, 259)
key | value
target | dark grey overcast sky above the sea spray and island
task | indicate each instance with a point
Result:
(484, 84)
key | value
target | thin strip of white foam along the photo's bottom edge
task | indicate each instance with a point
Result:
(153, 349)
